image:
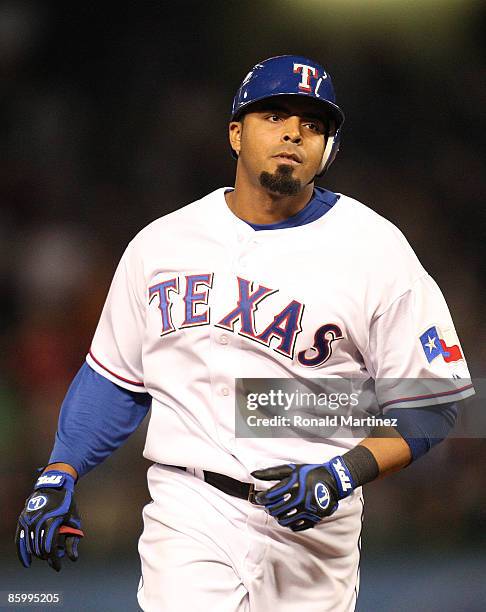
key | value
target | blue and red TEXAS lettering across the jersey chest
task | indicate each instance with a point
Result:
(285, 326)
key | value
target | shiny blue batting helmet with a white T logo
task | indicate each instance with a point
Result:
(293, 75)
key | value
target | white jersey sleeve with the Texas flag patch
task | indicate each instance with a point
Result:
(414, 353)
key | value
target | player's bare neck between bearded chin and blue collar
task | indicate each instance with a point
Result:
(257, 205)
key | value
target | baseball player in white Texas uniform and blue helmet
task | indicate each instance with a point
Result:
(273, 278)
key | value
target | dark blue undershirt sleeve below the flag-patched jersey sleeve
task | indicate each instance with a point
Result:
(423, 428)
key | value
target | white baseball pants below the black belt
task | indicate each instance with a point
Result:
(205, 551)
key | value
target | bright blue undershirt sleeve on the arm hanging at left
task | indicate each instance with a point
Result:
(96, 417)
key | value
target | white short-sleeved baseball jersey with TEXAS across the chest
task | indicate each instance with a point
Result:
(200, 298)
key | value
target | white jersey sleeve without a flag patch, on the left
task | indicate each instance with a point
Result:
(116, 349)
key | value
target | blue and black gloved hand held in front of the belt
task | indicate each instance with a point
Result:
(306, 492)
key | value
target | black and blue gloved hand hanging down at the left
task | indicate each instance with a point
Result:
(49, 525)
